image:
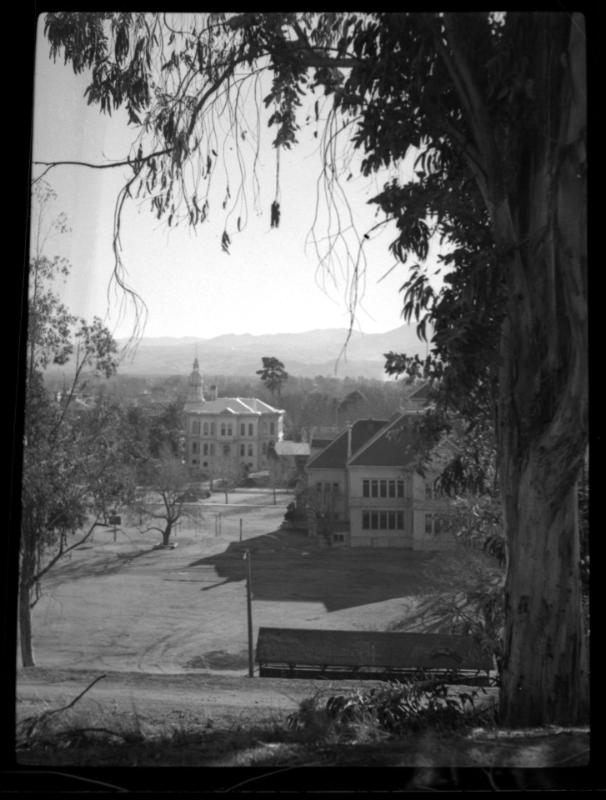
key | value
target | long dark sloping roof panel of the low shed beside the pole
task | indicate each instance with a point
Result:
(370, 649)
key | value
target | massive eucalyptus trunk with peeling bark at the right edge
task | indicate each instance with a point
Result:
(543, 401)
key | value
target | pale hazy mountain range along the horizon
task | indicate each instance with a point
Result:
(305, 354)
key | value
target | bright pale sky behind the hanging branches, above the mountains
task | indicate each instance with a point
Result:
(269, 283)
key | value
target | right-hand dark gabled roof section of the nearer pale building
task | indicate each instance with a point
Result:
(396, 445)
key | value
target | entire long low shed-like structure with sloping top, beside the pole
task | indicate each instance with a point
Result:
(301, 653)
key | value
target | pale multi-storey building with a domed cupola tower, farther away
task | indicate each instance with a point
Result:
(227, 433)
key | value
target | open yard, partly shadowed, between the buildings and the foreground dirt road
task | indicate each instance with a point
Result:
(126, 605)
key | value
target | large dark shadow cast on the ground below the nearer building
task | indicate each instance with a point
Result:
(288, 566)
